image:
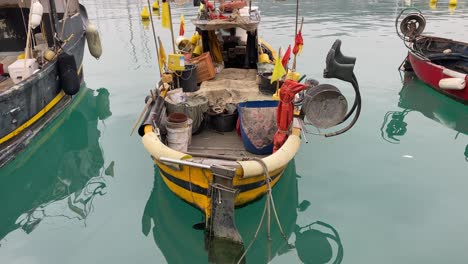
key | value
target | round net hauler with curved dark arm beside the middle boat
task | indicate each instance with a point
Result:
(324, 106)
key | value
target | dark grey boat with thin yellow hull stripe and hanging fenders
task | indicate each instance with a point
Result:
(41, 53)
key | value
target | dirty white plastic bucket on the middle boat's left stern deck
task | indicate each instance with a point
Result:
(179, 137)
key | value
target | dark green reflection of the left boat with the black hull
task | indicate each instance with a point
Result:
(60, 174)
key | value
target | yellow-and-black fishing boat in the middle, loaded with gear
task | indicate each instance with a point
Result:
(220, 141)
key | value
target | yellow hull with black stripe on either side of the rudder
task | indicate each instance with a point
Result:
(192, 184)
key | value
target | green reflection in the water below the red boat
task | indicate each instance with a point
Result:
(417, 96)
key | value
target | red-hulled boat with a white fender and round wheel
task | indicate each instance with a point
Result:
(439, 62)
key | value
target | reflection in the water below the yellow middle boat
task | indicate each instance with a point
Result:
(173, 226)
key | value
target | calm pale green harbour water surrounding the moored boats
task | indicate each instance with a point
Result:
(392, 190)
